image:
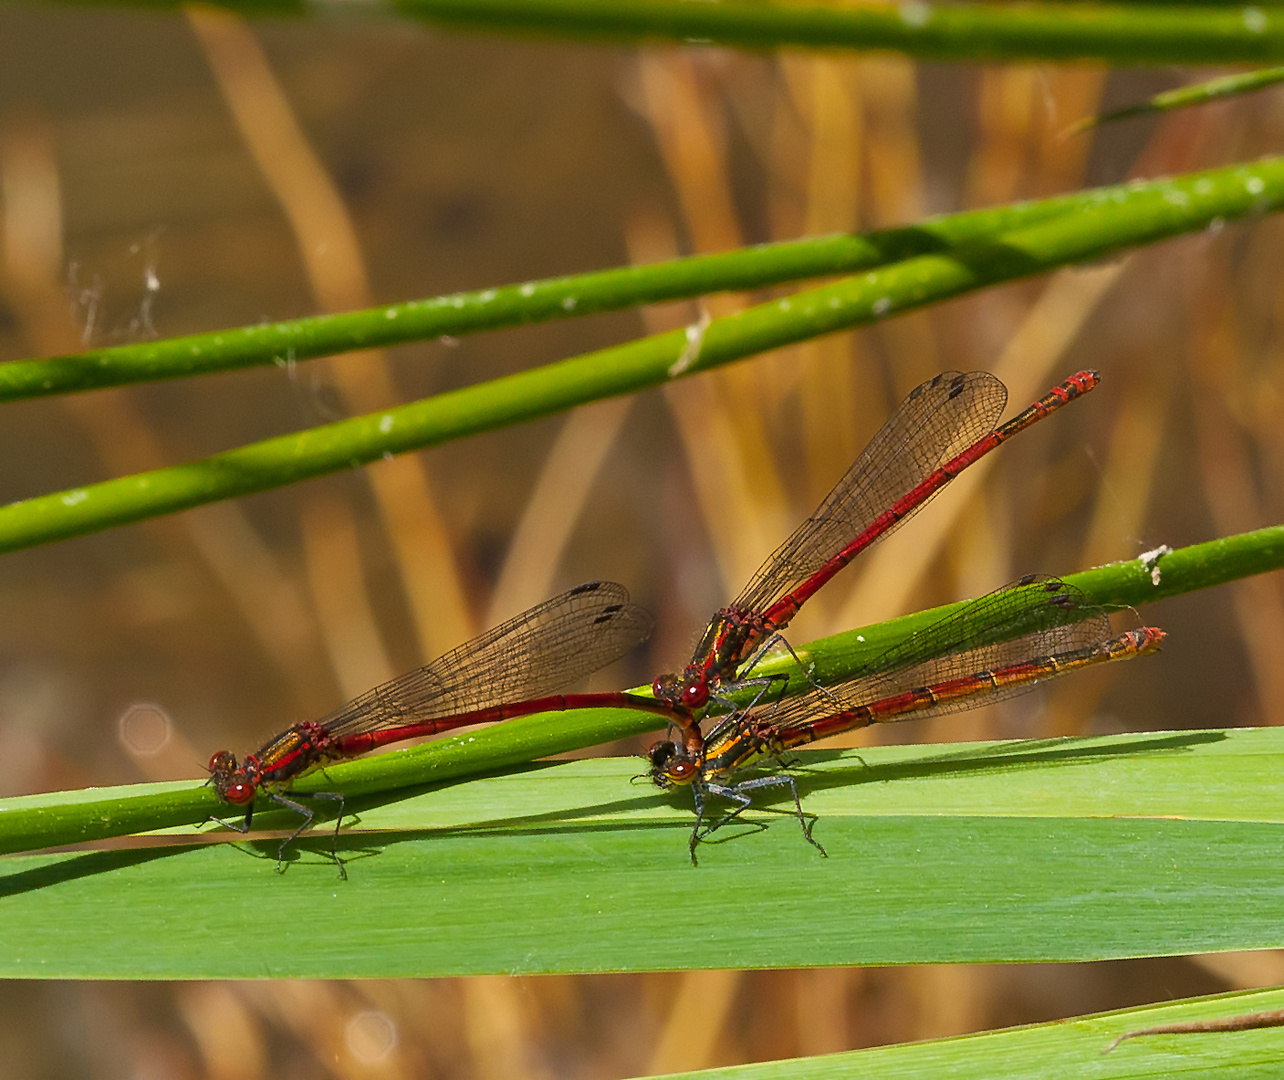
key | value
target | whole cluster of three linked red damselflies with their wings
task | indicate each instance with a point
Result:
(1003, 644)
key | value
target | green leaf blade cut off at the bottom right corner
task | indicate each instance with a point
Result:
(1069, 1050)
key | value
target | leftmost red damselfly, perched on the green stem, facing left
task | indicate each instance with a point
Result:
(510, 671)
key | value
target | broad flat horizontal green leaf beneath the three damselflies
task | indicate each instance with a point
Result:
(1052, 851)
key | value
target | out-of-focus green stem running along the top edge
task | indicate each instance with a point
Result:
(970, 33)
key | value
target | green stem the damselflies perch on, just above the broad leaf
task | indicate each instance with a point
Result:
(75, 817)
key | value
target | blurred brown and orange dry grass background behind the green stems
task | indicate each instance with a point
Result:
(164, 177)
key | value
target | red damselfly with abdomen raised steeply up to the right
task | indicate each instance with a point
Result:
(943, 427)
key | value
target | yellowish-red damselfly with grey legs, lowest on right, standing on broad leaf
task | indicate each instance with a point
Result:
(993, 648)
